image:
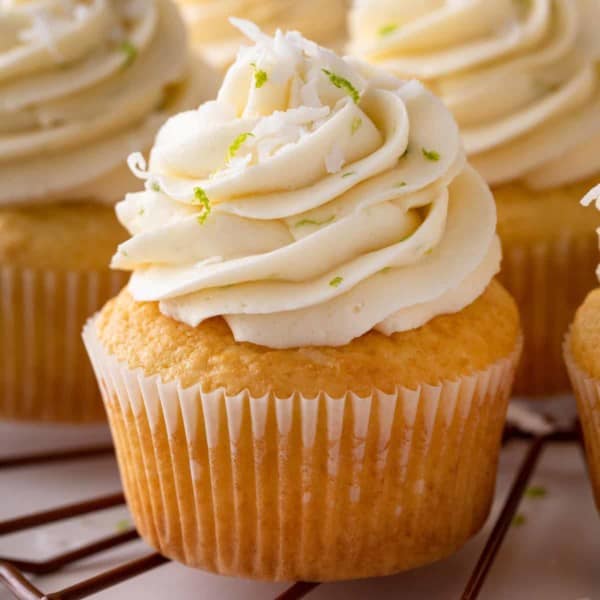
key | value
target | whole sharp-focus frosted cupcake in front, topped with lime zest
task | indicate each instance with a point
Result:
(308, 374)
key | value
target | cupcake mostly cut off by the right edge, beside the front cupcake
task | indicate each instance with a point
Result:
(582, 356)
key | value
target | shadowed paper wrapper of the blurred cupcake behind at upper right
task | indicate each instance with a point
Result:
(549, 281)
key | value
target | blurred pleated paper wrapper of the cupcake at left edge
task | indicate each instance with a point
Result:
(44, 371)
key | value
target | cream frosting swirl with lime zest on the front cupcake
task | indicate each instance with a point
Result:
(339, 202)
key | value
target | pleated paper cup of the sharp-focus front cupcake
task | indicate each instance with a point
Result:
(316, 488)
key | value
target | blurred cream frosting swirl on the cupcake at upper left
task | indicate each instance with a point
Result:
(82, 84)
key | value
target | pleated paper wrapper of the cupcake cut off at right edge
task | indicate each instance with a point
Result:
(587, 393)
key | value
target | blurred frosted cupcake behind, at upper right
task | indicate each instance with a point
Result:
(521, 81)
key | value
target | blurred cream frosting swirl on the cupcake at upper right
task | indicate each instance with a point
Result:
(519, 76)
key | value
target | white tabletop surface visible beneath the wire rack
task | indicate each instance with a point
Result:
(552, 556)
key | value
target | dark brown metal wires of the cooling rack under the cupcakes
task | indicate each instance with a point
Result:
(13, 572)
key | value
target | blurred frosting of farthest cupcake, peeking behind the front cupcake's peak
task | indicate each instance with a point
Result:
(219, 42)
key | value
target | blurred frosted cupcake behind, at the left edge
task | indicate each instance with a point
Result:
(82, 84)
